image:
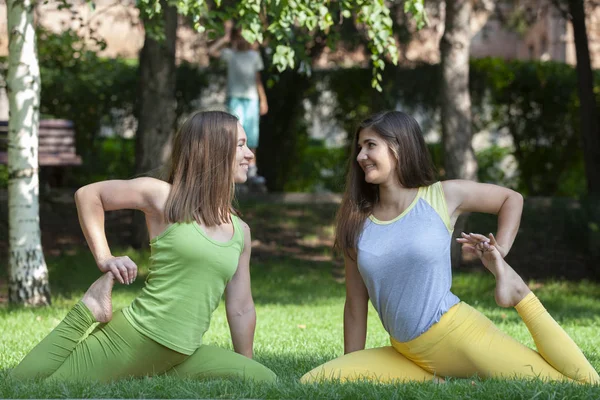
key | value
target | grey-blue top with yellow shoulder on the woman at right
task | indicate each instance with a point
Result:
(405, 264)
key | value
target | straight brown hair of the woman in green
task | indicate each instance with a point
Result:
(201, 169)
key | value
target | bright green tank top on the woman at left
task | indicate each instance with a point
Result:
(187, 278)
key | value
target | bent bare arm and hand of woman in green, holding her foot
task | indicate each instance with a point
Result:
(145, 194)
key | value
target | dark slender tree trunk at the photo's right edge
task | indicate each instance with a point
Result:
(589, 117)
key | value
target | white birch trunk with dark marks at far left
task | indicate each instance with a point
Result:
(28, 274)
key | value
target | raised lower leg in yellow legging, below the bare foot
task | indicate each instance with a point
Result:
(553, 343)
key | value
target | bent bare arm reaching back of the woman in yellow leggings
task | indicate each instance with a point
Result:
(467, 196)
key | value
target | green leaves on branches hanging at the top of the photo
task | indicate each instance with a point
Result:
(282, 22)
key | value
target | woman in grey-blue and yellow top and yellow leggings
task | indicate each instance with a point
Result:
(395, 228)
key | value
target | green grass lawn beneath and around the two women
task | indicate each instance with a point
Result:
(299, 304)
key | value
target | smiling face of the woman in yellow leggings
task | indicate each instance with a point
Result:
(375, 158)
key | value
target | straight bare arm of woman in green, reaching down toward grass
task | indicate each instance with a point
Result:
(239, 304)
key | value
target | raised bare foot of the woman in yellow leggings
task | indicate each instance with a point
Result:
(510, 288)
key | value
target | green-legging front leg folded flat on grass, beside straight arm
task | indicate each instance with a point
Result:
(216, 362)
